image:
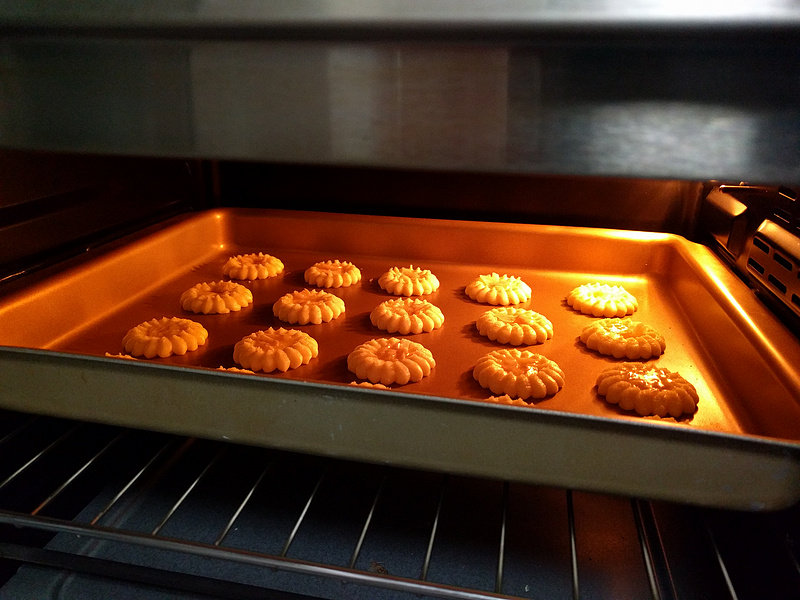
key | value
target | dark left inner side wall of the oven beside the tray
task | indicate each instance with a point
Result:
(53, 206)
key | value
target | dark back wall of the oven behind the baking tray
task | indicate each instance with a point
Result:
(640, 204)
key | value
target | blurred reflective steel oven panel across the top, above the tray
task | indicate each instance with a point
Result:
(590, 88)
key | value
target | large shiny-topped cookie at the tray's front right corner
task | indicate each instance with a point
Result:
(649, 391)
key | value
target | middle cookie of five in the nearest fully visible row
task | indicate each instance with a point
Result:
(391, 360)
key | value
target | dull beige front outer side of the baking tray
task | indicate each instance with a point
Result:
(770, 479)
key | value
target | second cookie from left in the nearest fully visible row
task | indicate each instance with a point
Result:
(275, 349)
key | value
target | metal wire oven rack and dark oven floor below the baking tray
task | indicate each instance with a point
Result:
(87, 508)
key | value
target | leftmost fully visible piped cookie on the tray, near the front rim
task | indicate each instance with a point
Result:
(164, 337)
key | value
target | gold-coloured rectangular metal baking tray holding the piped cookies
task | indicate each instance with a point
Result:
(740, 449)
